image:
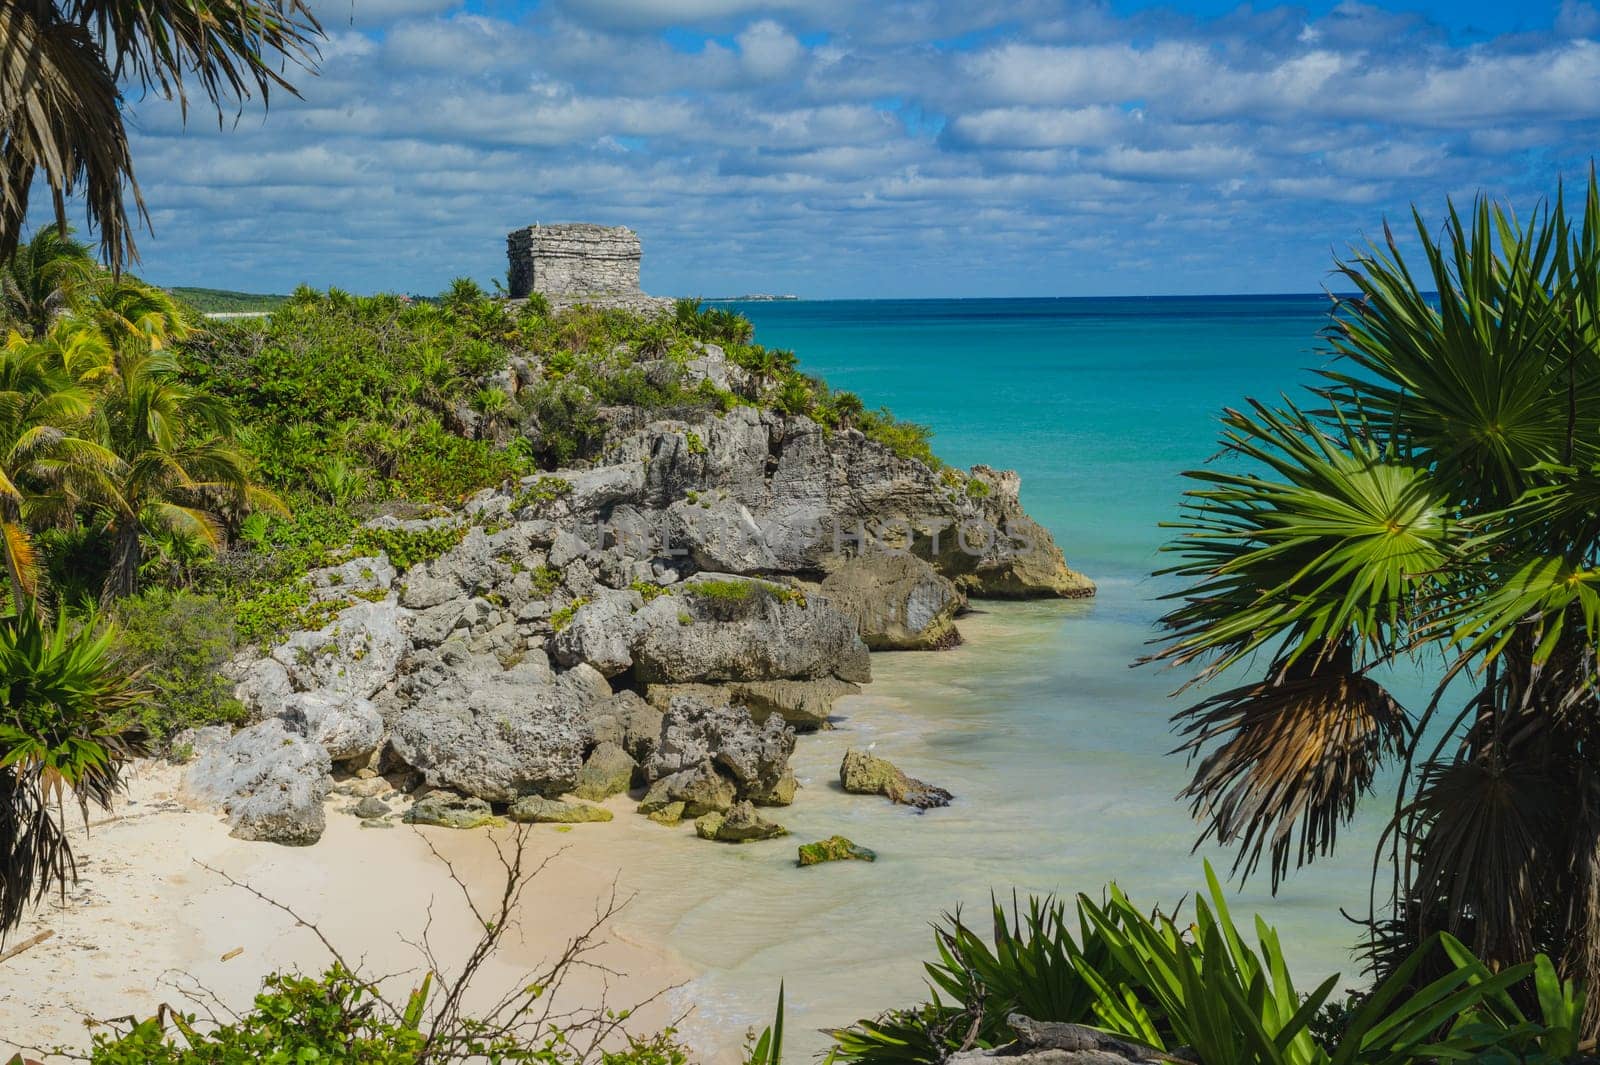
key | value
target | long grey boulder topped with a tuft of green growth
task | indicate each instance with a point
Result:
(718, 628)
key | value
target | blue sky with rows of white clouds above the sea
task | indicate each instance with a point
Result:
(906, 148)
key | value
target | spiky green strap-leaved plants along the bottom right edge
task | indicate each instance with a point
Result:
(1194, 991)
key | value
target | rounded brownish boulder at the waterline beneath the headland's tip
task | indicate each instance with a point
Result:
(897, 600)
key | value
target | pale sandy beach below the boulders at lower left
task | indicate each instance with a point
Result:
(148, 923)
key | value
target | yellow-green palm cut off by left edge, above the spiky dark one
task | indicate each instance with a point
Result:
(42, 461)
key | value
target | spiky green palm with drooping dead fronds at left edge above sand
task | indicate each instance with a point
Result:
(58, 736)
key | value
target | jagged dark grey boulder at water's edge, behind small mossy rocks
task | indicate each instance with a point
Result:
(756, 757)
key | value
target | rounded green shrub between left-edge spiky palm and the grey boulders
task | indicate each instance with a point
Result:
(178, 642)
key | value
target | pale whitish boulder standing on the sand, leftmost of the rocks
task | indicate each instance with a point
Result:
(268, 780)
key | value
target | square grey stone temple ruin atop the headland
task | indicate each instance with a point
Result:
(580, 263)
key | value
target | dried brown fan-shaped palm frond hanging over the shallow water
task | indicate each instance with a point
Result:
(1282, 764)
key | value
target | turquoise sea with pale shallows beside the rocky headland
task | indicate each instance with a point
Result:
(1054, 744)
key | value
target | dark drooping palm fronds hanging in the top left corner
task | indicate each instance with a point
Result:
(63, 65)
